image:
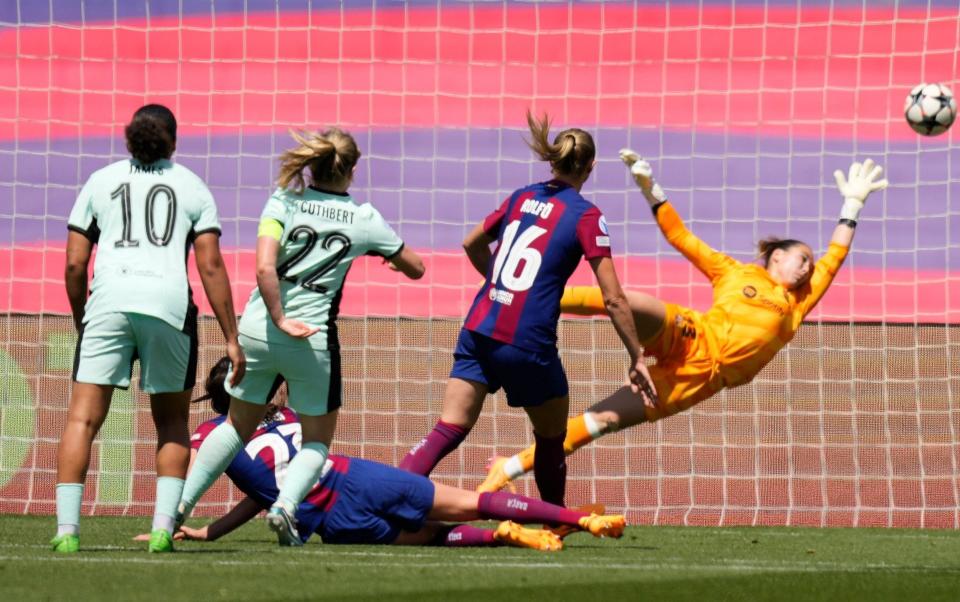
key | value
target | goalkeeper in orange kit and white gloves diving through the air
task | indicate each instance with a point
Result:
(756, 311)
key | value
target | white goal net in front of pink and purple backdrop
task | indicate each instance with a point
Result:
(744, 109)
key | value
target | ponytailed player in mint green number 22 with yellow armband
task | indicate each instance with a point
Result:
(307, 239)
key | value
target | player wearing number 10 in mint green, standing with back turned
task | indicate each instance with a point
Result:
(143, 213)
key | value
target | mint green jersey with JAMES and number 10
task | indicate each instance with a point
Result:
(143, 219)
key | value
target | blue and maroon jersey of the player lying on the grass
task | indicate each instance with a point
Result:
(259, 469)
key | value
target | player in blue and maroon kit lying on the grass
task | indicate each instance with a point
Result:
(362, 502)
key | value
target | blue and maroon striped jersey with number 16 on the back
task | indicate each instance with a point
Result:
(542, 231)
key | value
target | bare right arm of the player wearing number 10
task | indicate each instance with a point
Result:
(216, 283)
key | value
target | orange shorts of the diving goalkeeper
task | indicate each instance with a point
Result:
(686, 371)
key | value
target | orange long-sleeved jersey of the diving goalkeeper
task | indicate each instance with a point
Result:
(752, 316)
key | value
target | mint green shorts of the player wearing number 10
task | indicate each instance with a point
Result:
(109, 344)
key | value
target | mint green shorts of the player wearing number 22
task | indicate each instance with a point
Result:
(312, 375)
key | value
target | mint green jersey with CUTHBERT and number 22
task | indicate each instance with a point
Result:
(323, 233)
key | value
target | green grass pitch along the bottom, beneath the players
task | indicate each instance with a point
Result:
(649, 563)
